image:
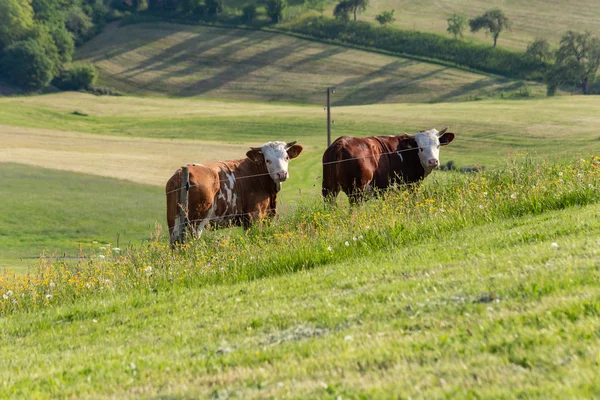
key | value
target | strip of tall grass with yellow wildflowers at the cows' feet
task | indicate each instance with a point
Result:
(313, 234)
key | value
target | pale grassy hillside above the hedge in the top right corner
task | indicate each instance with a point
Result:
(531, 19)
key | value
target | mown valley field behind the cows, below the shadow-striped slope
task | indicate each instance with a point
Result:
(140, 142)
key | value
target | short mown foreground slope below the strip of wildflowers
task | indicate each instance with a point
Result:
(509, 309)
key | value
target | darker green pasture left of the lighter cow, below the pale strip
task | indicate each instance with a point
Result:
(61, 214)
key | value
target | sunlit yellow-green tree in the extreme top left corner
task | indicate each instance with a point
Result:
(16, 18)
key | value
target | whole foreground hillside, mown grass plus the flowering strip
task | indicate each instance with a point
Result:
(488, 291)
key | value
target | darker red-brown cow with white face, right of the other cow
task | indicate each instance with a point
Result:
(360, 165)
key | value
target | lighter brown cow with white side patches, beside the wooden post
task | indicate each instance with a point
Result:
(233, 192)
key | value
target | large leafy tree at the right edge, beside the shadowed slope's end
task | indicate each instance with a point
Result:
(577, 61)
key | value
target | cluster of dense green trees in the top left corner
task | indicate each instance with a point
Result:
(38, 39)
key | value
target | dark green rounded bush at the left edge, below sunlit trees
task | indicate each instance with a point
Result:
(26, 64)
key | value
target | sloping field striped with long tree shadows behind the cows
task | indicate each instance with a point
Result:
(180, 60)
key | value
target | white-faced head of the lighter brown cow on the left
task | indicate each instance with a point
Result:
(276, 156)
